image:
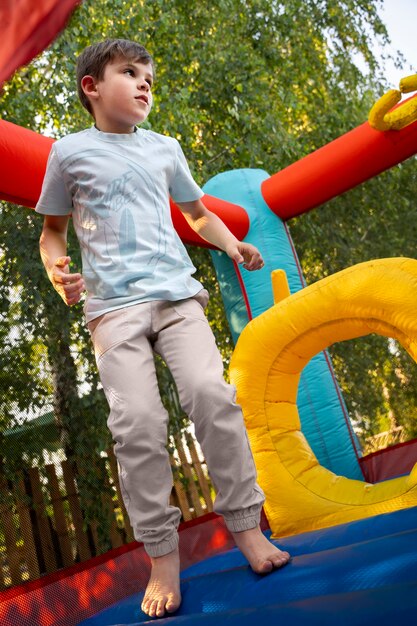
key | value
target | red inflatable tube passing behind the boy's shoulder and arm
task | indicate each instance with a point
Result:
(23, 157)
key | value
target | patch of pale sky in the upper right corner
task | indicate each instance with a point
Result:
(400, 18)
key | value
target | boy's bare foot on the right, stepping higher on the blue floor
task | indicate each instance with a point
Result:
(262, 555)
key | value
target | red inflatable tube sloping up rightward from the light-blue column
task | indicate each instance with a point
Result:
(336, 167)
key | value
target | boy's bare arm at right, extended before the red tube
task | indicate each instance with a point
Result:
(211, 228)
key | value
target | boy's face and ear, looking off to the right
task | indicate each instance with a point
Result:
(123, 98)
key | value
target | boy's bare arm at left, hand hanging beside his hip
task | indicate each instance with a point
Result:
(53, 248)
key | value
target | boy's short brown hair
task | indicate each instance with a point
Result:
(93, 60)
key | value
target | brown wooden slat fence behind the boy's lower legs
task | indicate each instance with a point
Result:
(41, 522)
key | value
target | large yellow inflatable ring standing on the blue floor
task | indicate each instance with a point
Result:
(373, 297)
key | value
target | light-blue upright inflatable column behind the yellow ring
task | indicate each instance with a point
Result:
(324, 419)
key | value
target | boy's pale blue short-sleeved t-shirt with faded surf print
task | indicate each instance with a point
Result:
(117, 189)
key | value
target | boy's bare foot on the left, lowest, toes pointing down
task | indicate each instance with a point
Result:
(163, 591)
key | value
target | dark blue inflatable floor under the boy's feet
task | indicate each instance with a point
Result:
(364, 572)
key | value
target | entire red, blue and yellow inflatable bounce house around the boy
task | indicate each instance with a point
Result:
(349, 522)
